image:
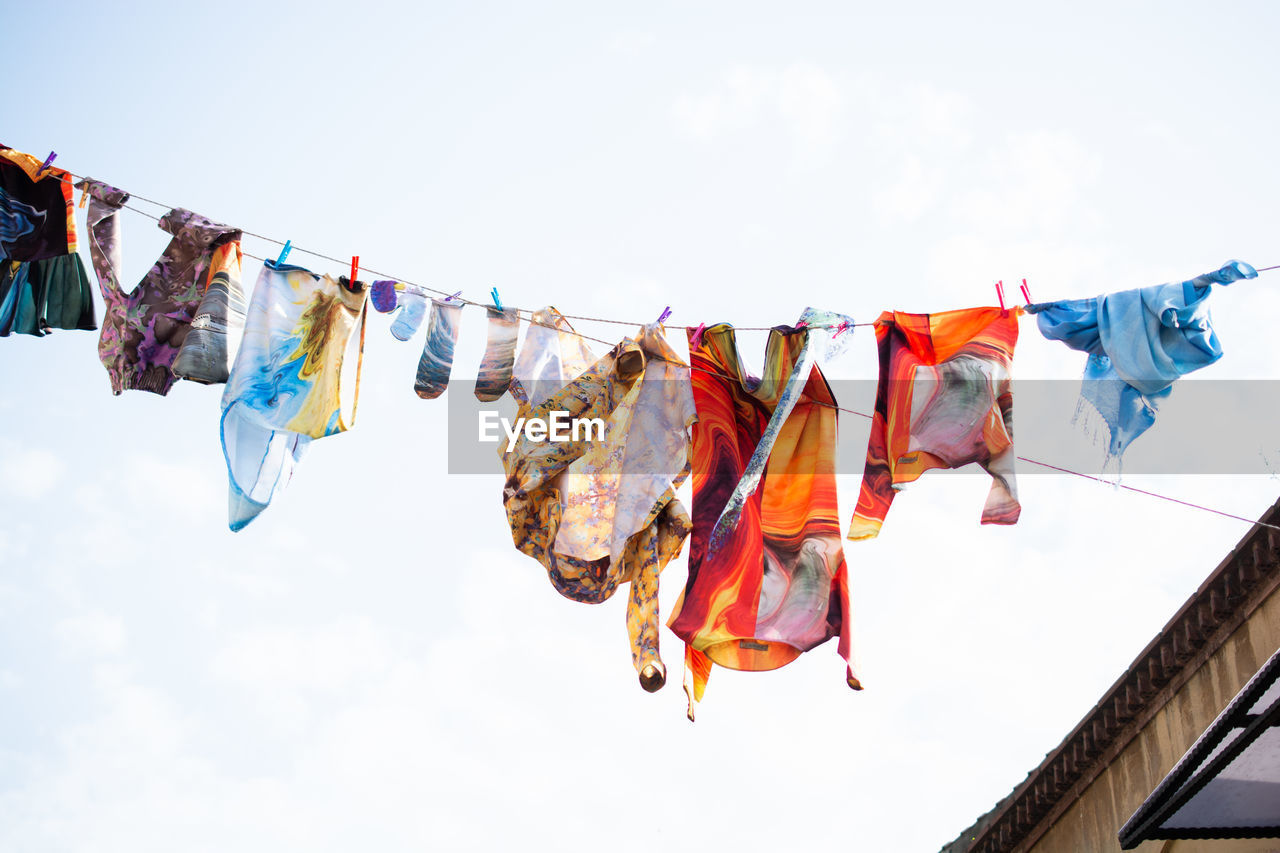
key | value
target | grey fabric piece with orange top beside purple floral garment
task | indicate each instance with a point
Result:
(211, 346)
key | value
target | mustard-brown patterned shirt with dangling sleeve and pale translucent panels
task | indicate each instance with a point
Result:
(601, 510)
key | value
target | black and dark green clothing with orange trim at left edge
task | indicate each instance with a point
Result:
(43, 280)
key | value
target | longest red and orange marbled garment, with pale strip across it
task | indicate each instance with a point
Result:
(778, 583)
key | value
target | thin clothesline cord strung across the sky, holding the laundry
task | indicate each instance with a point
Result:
(531, 320)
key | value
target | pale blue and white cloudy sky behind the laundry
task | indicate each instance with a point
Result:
(372, 665)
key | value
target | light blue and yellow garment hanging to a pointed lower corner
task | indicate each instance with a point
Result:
(296, 378)
